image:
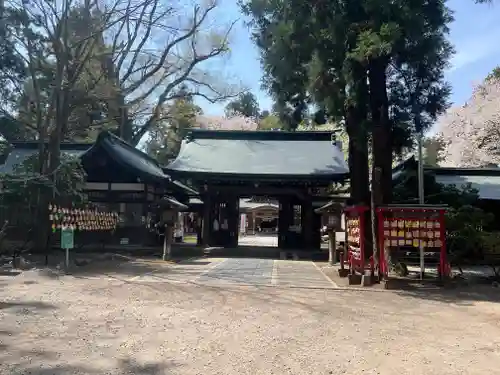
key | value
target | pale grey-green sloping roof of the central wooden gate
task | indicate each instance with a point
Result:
(260, 153)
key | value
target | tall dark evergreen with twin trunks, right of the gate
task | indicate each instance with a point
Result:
(340, 54)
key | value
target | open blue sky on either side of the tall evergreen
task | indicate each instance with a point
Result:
(475, 34)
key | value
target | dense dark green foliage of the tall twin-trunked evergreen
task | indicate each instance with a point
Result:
(309, 50)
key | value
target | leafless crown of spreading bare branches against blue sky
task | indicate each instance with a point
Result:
(156, 50)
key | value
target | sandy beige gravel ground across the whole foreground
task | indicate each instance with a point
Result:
(77, 325)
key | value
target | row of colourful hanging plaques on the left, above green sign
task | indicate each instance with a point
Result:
(81, 219)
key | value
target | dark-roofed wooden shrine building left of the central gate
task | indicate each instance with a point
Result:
(120, 178)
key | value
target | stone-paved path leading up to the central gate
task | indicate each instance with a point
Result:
(242, 271)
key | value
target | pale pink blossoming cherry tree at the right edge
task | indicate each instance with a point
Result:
(470, 134)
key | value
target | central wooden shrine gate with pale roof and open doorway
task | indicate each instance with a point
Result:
(295, 169)
